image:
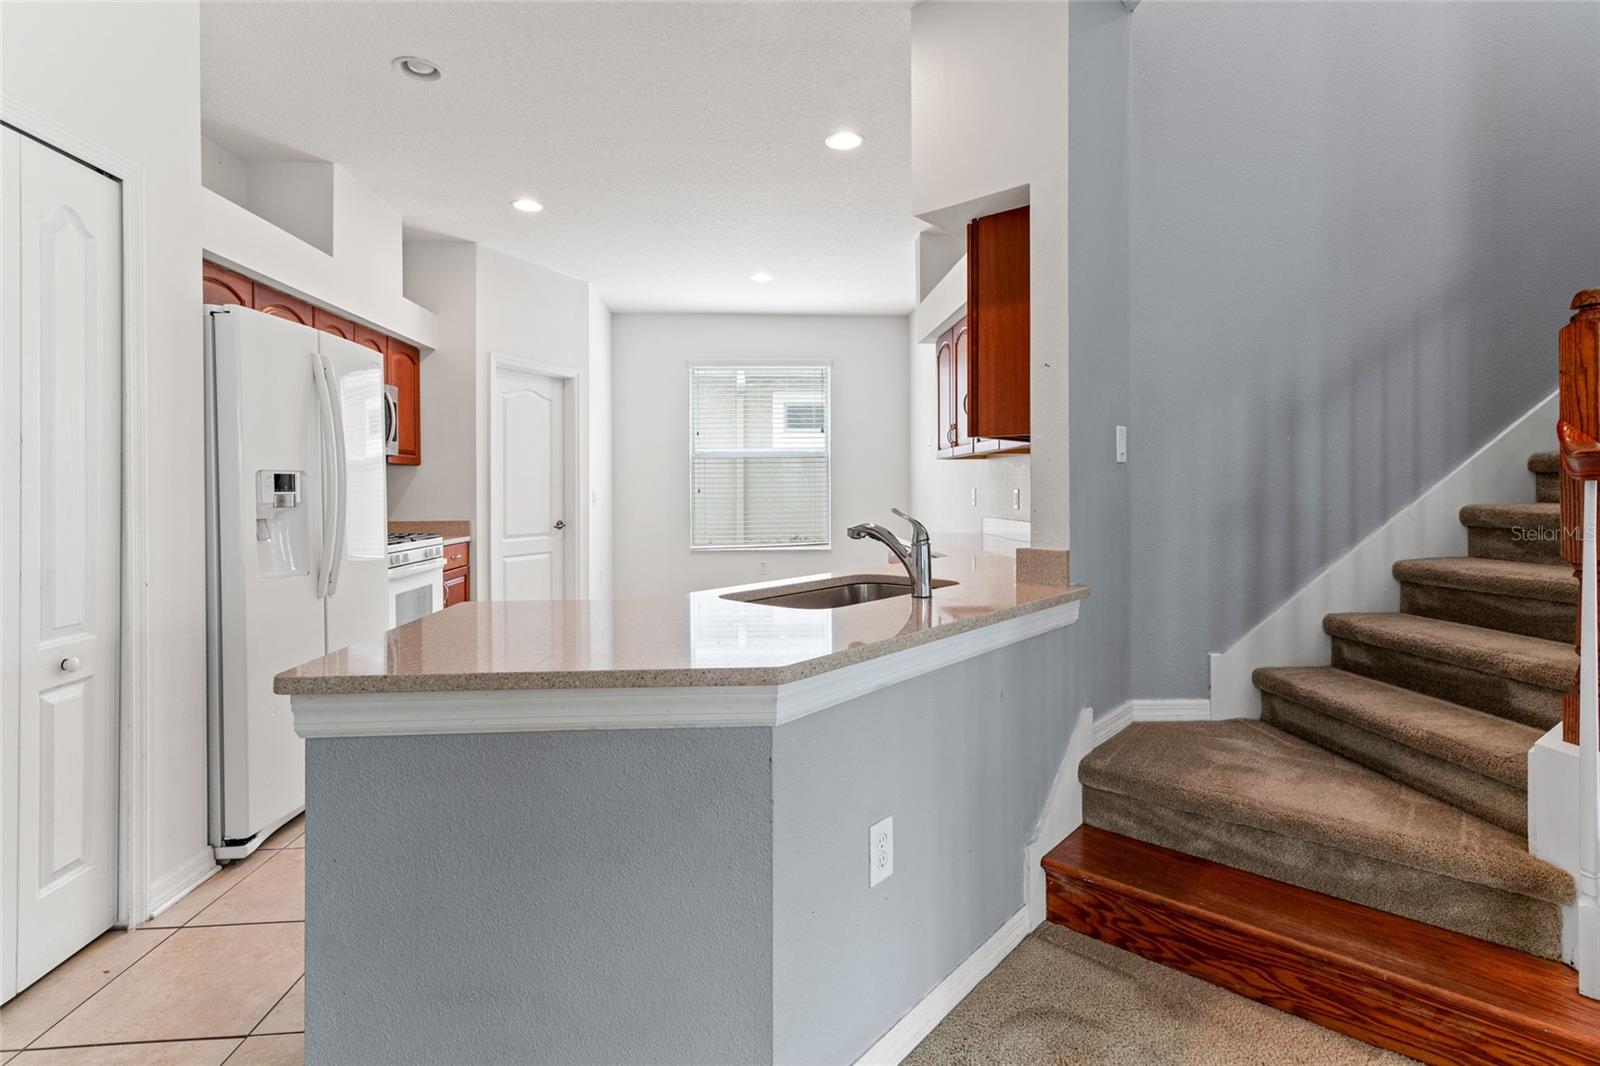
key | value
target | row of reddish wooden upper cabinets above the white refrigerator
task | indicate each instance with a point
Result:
(402, 363)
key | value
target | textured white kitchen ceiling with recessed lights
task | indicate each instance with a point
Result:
(678, 148)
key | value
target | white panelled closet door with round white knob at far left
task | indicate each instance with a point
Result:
(63, 539)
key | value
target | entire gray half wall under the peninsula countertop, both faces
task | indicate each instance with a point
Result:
(673, 896)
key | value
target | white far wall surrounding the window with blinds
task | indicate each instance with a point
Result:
(650, 430)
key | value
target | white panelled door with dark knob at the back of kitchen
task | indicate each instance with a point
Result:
(527, 486)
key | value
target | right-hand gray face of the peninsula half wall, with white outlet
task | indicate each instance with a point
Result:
(962, 759)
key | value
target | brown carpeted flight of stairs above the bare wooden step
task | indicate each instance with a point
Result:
(1396, 777)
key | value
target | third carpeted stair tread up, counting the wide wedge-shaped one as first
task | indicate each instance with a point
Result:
(1530, 660)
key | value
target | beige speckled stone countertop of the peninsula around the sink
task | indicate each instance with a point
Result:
(681, 641)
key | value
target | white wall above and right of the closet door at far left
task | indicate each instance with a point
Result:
(71, 65)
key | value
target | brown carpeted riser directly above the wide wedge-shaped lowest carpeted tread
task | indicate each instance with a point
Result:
(1494, 801)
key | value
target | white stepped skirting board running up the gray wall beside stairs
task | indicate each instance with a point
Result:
(1361, 580)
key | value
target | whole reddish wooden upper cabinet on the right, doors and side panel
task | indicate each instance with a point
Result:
(985, 359)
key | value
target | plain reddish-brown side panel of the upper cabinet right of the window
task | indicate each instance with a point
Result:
(998, 321)
